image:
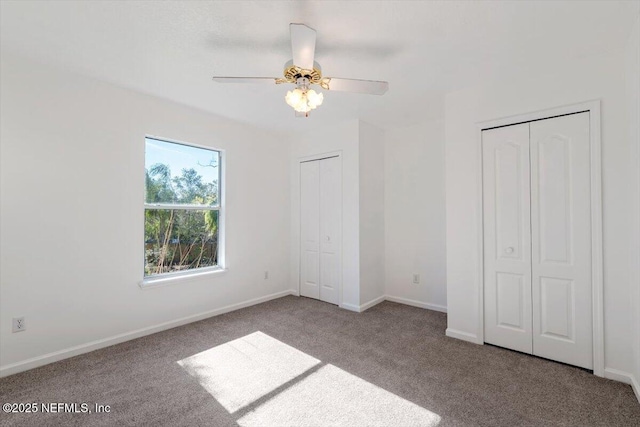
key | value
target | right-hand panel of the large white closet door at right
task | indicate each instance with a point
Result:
(561, 246)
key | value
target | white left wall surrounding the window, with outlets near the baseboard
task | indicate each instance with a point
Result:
(72, 191)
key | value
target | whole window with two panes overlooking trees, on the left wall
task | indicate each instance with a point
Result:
(182, 208)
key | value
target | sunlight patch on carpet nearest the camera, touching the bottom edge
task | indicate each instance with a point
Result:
(330, 397)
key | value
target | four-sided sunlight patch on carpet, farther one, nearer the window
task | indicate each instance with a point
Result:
(241, 371)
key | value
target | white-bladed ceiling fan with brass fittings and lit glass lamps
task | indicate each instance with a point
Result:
(304, 72)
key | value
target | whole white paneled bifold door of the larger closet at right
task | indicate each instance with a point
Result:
(537, 238)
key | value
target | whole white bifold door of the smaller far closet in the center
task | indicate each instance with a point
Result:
(320, 229)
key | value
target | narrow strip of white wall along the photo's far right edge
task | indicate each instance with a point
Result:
(632, 74)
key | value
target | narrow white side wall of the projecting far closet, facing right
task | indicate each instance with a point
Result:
(372, 230)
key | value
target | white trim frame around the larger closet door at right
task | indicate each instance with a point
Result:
(593, 107)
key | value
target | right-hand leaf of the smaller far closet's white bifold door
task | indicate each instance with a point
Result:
(330, 228)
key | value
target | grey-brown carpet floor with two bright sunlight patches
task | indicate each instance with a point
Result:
(297, 361)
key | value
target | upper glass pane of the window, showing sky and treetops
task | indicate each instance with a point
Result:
(180, 174)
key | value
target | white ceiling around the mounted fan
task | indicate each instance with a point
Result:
(424, 49)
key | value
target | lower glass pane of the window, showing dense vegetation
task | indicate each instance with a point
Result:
(179, 240)
